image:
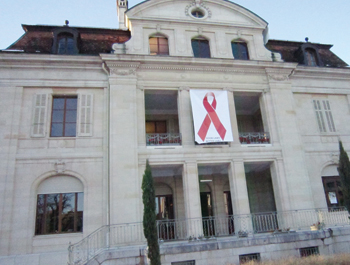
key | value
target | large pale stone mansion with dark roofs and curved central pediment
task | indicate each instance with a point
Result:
(83, 109)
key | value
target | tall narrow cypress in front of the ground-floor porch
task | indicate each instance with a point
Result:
(149, 216)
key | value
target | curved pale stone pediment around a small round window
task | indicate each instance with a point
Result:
(217, 12)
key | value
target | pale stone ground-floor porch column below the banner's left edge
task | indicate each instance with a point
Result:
(193, 210)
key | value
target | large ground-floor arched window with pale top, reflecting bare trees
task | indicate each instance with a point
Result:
(60, 204)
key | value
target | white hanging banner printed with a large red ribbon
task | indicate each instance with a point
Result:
(211, 116)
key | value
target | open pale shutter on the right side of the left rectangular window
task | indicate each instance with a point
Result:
(85, 115)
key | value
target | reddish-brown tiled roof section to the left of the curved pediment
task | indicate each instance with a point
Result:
(92, 41)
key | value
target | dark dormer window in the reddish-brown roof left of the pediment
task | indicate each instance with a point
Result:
(65, 41)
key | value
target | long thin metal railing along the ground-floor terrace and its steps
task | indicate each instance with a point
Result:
(206, 229)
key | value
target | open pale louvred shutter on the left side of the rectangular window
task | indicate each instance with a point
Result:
(39, 115)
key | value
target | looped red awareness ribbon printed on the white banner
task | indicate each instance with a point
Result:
(211, 117)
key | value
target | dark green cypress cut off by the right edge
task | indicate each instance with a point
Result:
(344, 174)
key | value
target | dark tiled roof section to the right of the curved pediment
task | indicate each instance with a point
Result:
(288, 50)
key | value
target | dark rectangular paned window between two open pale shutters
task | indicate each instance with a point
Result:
(64, 117)
